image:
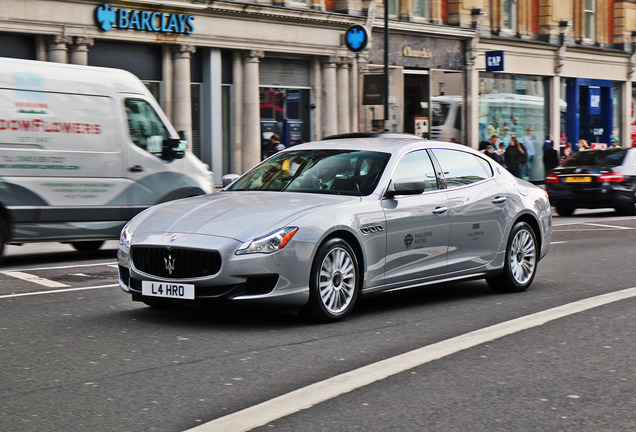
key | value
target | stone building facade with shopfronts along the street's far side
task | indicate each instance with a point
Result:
(230, 74)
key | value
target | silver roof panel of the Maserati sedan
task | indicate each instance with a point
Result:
(381, 142)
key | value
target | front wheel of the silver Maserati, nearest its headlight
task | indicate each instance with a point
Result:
(334, 282)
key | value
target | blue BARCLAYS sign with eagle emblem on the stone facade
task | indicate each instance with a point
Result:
(158, 22)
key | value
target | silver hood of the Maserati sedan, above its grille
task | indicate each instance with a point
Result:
(237, 215)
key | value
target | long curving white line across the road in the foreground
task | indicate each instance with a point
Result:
(295, 401)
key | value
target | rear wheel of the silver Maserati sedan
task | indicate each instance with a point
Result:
(522, 257)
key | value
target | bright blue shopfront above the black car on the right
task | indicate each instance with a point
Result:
(590, 111)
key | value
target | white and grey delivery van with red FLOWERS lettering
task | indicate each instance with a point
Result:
(83, 150)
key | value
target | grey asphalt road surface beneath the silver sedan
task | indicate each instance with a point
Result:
(78, 355)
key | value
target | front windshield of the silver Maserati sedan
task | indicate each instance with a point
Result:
(342, 172)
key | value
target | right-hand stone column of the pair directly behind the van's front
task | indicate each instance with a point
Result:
(181, 93)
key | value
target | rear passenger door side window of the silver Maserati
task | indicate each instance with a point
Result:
(460, 168)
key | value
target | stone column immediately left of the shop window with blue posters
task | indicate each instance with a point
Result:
(251, 109)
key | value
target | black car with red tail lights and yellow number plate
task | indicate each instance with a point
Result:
(594, 179)
